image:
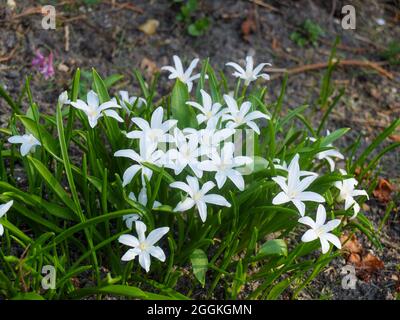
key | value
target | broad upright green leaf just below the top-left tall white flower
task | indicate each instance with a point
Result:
(180, 110)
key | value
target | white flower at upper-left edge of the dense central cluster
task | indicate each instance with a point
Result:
(156, 131)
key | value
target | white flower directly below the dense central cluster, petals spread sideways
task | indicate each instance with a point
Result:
(198, 196)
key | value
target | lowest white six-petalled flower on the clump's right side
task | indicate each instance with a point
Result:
(320, 229)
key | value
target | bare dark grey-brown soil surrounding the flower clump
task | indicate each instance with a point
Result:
(106, 37)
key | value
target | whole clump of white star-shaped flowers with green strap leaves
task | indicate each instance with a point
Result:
(210, 173)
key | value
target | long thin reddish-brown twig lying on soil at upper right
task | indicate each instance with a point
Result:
(352, 63)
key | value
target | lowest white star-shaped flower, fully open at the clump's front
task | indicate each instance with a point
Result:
(142, 246)
